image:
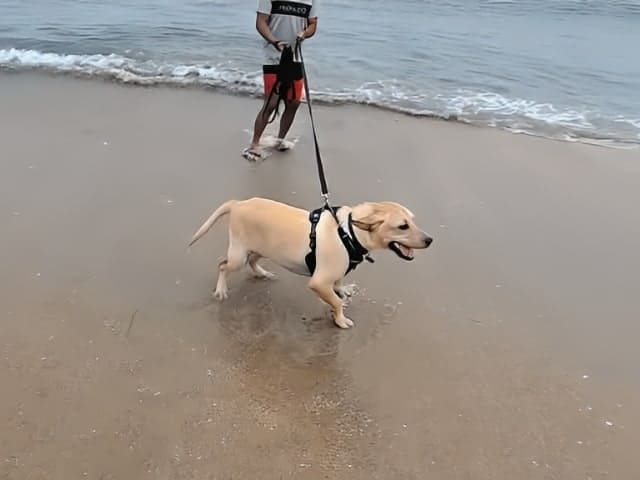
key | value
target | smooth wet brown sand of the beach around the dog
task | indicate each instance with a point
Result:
(506, 351)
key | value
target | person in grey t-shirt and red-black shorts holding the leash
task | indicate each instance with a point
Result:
(281, 24)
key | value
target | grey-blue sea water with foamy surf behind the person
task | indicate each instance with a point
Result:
(567, 69)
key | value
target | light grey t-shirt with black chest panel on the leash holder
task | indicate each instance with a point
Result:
(286, 20)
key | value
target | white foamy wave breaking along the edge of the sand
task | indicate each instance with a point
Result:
(475, 107)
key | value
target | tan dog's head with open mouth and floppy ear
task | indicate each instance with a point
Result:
(389, 225)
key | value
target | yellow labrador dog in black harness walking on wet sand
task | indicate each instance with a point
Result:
(310, 243)
